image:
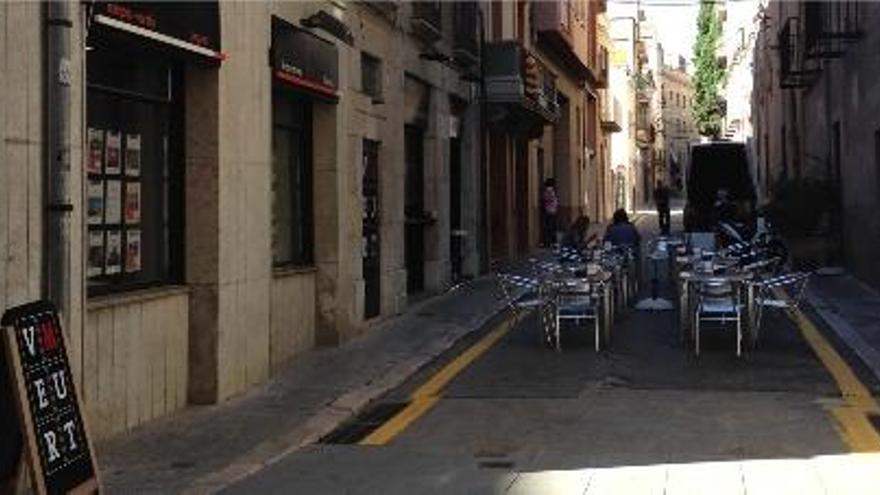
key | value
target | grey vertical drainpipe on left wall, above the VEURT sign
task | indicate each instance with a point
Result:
(59, 23)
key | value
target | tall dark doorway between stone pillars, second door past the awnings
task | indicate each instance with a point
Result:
(414, 210)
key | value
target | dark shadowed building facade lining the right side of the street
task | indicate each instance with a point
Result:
(815, 111)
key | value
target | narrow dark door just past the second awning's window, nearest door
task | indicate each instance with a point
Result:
(371, 235)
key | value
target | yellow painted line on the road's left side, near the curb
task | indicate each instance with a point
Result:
(428, 394)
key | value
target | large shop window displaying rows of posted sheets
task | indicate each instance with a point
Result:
(134, 189)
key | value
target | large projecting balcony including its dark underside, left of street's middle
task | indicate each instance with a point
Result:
(521, 91)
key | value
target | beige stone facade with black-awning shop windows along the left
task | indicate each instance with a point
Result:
(245, 191)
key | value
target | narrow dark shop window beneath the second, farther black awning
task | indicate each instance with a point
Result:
(292, 237)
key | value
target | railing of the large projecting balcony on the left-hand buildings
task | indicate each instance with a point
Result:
(516, 78)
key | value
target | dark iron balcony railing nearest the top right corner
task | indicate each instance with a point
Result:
(829, 26)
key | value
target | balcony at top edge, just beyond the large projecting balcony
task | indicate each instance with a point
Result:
(553, 23)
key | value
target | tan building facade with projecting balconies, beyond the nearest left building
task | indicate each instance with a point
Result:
(542, 79)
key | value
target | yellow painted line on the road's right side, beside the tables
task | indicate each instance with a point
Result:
(852, 417)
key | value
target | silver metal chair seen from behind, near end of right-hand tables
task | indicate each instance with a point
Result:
(719, 302)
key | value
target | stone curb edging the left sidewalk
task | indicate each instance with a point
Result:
(343, 408)
